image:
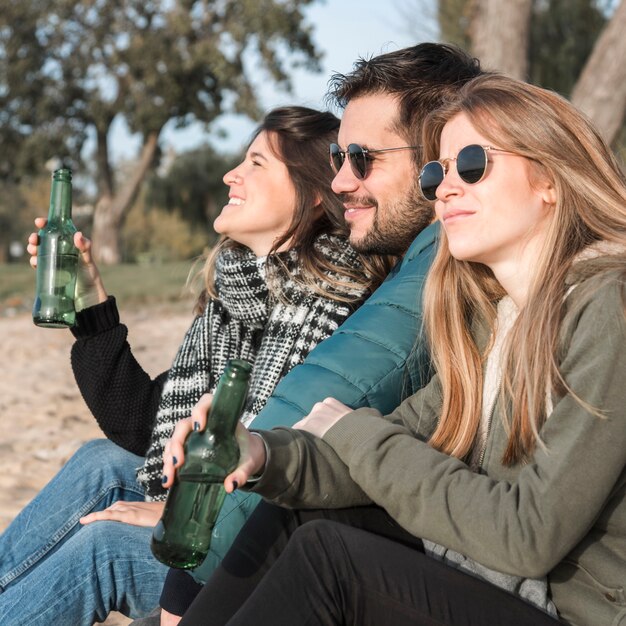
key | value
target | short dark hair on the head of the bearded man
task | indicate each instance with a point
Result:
(422, 77)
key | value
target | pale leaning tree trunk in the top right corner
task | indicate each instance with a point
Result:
(601, 89)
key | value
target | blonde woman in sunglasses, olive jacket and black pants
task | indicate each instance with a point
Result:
(496, 494)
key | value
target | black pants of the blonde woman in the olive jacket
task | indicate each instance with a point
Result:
(353, 566)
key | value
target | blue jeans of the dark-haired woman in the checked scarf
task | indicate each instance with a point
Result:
(53, 570)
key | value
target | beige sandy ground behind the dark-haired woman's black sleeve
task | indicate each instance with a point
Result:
(43, 418)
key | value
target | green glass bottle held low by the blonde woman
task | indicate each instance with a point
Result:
(182, 537)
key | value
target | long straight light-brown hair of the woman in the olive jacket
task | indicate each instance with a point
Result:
(563, 148)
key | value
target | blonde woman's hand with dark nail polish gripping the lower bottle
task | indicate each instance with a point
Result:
(252, 449)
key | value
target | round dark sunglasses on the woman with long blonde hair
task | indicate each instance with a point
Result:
(471, 166)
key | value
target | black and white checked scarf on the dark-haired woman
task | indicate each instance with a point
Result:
(248, 321)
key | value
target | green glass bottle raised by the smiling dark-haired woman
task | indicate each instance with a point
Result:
(57, 258)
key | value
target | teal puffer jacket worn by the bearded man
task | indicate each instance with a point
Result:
(371, 360)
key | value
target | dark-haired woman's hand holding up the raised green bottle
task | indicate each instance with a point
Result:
(89, 286)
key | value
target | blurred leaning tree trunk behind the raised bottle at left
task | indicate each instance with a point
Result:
(111, 209)
